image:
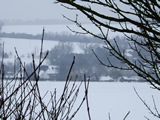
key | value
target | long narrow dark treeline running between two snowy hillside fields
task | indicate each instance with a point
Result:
(51, 36)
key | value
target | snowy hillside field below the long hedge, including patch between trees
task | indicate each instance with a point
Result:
(26, 48)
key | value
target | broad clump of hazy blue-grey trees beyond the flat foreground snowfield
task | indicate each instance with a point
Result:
(87, 63)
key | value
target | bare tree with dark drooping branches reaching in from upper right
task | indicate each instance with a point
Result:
(138, 21)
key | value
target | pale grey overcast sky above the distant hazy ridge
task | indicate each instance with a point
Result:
(31, 9)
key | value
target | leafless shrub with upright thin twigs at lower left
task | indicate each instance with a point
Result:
(21, 99)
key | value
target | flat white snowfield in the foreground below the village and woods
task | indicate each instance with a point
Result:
(114, 98)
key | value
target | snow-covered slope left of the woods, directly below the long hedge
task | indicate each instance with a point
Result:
(25, 46)
